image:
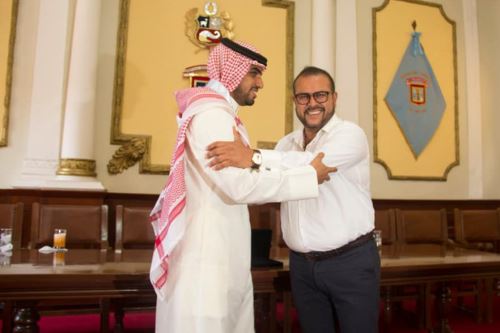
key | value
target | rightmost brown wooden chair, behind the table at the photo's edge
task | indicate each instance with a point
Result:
(478, 229)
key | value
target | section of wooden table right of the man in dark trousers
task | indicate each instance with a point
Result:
(438, 267)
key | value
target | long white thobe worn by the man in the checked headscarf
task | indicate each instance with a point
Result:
(209, 285)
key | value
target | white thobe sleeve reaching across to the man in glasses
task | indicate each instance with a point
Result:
(245, 185)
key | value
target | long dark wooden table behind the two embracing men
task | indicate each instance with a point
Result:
(30, 277)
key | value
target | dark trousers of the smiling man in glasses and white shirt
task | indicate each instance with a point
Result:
(344, 288)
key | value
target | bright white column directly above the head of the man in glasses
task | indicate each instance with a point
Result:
(322, 35)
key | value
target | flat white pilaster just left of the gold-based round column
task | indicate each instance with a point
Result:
(47, 95)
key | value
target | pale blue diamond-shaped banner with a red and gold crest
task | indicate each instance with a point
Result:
(415, 97)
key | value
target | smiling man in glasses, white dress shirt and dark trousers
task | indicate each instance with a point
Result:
(334, 262)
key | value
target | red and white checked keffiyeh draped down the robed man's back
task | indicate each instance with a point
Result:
(168, 215)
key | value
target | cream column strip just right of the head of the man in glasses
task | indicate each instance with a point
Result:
(346, 61)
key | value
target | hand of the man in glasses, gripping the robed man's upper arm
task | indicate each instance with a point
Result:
(223, 154)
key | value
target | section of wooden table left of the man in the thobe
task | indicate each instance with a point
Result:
(31, 277)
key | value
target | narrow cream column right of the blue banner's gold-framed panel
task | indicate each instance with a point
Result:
(473, 100)
